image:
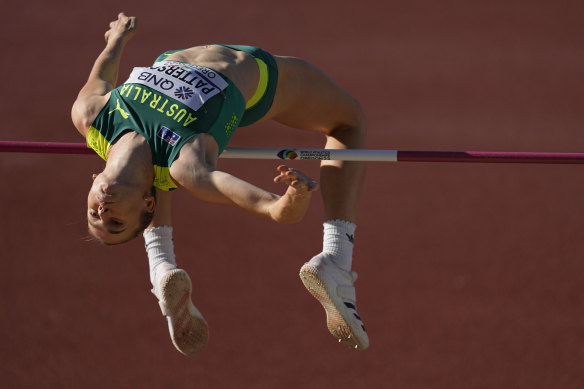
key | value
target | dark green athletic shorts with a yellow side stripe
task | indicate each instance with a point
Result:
(260, 103)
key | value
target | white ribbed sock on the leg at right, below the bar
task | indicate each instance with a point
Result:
(338, 242)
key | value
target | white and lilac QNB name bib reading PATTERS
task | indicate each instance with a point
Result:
(192, 85)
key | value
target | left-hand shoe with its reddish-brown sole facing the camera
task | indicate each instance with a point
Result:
(188, 330)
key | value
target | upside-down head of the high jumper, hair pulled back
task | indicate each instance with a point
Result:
(117, 213)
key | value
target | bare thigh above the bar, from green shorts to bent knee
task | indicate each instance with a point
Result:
(307, 98)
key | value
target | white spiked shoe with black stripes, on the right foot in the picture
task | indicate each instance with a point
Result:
(333, 288)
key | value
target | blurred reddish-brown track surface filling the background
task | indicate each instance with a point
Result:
(470, 276)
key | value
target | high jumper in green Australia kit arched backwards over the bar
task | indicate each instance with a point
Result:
(165, 128)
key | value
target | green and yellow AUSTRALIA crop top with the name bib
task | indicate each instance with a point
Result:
(169, 103)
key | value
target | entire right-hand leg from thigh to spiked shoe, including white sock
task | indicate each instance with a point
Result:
(307, 99)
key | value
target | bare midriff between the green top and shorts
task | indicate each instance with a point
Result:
(238, 66)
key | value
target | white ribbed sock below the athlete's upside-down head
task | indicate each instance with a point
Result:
(160, 250)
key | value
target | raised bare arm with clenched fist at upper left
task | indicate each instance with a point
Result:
(104, 74)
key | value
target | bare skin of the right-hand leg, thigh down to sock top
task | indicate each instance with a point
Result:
(307, 99)
